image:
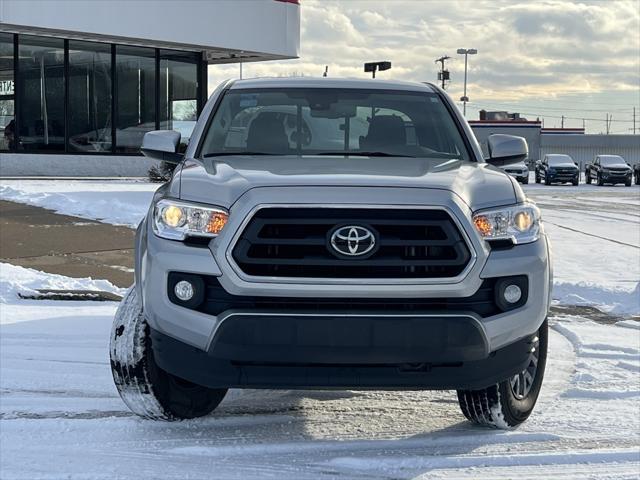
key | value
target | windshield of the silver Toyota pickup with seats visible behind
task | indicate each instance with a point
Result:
(322, 121)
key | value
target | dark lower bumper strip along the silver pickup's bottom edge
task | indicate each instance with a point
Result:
(204, 368)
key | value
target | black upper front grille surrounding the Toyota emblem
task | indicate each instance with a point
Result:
(294, 242)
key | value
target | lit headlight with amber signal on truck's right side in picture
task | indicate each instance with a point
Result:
(520, 223)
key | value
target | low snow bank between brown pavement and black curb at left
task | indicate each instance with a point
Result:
(16, 280)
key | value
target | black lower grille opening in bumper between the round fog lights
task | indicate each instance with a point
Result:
(217, 300)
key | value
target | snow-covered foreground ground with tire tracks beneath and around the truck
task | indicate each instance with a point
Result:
(60, 415)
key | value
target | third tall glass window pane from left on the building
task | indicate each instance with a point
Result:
(89, 103)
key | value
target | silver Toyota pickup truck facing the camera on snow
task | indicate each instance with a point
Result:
(344, 234)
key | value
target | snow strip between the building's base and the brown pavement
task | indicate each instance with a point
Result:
(116, 202)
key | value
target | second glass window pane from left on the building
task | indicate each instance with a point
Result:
(40, 89)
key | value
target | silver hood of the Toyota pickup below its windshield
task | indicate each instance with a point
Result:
(221, 181)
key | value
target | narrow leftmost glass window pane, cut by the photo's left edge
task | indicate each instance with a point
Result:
(7, 95)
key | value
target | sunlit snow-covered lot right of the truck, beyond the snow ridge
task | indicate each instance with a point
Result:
(595, 236)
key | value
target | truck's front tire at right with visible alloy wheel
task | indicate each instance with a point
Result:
(510, 402)
